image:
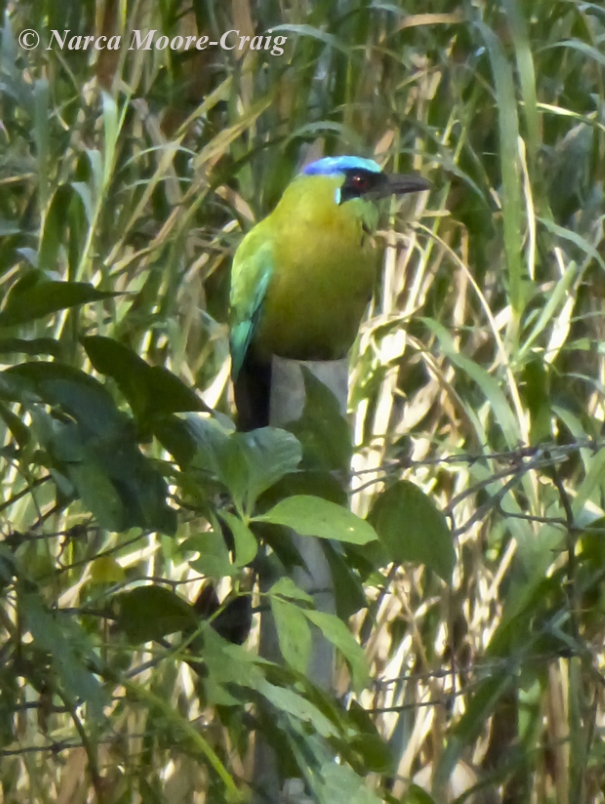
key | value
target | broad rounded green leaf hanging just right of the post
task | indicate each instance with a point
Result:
(411, 528)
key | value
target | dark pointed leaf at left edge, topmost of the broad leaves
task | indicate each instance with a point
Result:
(36, 299)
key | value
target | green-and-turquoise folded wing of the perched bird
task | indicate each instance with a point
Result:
(251, 274)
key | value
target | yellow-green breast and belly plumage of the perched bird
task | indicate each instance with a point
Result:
(322, 279)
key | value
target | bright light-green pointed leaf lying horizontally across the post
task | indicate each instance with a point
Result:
(313, 516)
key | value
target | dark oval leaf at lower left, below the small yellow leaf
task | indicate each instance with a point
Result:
(151, 612)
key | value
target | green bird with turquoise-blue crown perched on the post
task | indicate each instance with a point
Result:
(302, 277)
